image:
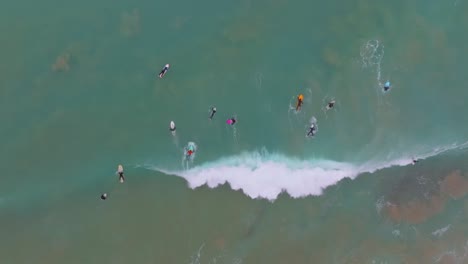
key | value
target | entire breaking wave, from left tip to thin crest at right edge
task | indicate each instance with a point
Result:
(263, 175)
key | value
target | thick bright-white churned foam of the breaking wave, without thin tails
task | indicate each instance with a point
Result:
(267, 178)
